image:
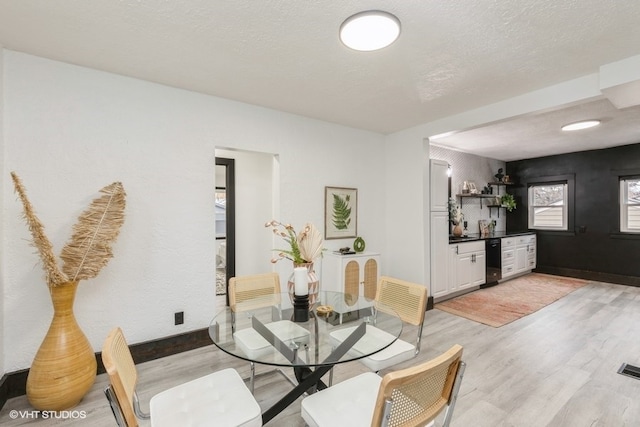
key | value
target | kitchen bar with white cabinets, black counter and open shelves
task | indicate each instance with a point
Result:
(466, 256)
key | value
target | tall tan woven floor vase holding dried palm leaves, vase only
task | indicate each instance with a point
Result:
(64, 368)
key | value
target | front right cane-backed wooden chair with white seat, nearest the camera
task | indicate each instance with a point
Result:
(412, 396)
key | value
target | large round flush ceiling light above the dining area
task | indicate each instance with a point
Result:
(370, 30)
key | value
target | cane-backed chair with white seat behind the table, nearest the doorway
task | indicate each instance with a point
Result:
(256, 291)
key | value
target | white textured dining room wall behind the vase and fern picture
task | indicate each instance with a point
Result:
(69, 130)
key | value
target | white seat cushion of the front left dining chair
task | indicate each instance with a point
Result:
(220, 399)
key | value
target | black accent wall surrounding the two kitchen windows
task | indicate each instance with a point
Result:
(593, 247)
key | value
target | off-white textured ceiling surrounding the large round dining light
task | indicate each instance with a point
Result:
(451, 57)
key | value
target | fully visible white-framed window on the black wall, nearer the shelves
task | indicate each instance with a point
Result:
(548, 206)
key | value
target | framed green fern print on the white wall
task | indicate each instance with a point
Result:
(340, 212)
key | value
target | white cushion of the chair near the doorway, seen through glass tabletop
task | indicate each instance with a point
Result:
(255, 345)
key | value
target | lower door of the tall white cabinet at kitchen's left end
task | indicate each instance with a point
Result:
(439, 244)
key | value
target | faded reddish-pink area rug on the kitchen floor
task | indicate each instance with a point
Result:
(508, 301)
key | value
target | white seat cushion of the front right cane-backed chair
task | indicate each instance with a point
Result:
(349, 403)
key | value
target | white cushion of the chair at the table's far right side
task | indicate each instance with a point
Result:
(397, 352)
